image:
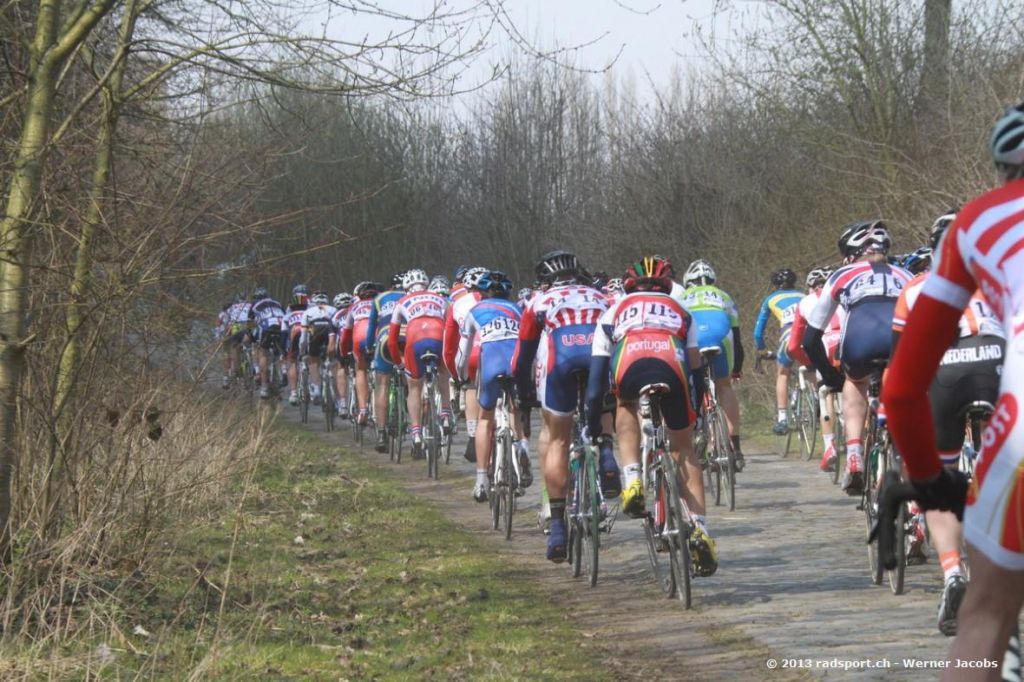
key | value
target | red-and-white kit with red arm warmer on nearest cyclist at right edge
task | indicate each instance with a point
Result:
(983, 249)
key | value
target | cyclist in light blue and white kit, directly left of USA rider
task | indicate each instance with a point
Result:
(496, 321)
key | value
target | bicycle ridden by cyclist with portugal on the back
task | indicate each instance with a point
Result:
(667, 525)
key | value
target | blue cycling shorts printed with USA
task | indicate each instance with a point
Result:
(564, 354)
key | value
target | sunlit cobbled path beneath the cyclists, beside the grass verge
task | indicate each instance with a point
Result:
(793, 582)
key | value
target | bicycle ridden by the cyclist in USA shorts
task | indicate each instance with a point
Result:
(585, 506)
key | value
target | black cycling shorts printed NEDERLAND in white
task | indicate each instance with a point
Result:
(970, 372)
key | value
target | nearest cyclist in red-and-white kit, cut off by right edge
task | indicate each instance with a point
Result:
(983, 249)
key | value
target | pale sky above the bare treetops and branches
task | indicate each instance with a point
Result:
(643, 40)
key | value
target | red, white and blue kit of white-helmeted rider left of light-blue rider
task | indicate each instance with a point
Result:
(423, 314)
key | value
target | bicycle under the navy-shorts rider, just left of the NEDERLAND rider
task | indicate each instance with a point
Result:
(880, 458)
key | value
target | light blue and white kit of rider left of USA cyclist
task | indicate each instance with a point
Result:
(496, 323)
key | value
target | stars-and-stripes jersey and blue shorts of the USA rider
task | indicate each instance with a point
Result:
(558, 329)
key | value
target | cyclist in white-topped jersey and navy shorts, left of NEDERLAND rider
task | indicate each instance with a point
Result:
(867, 288)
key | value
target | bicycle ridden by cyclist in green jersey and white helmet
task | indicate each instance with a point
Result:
(715, 447)
